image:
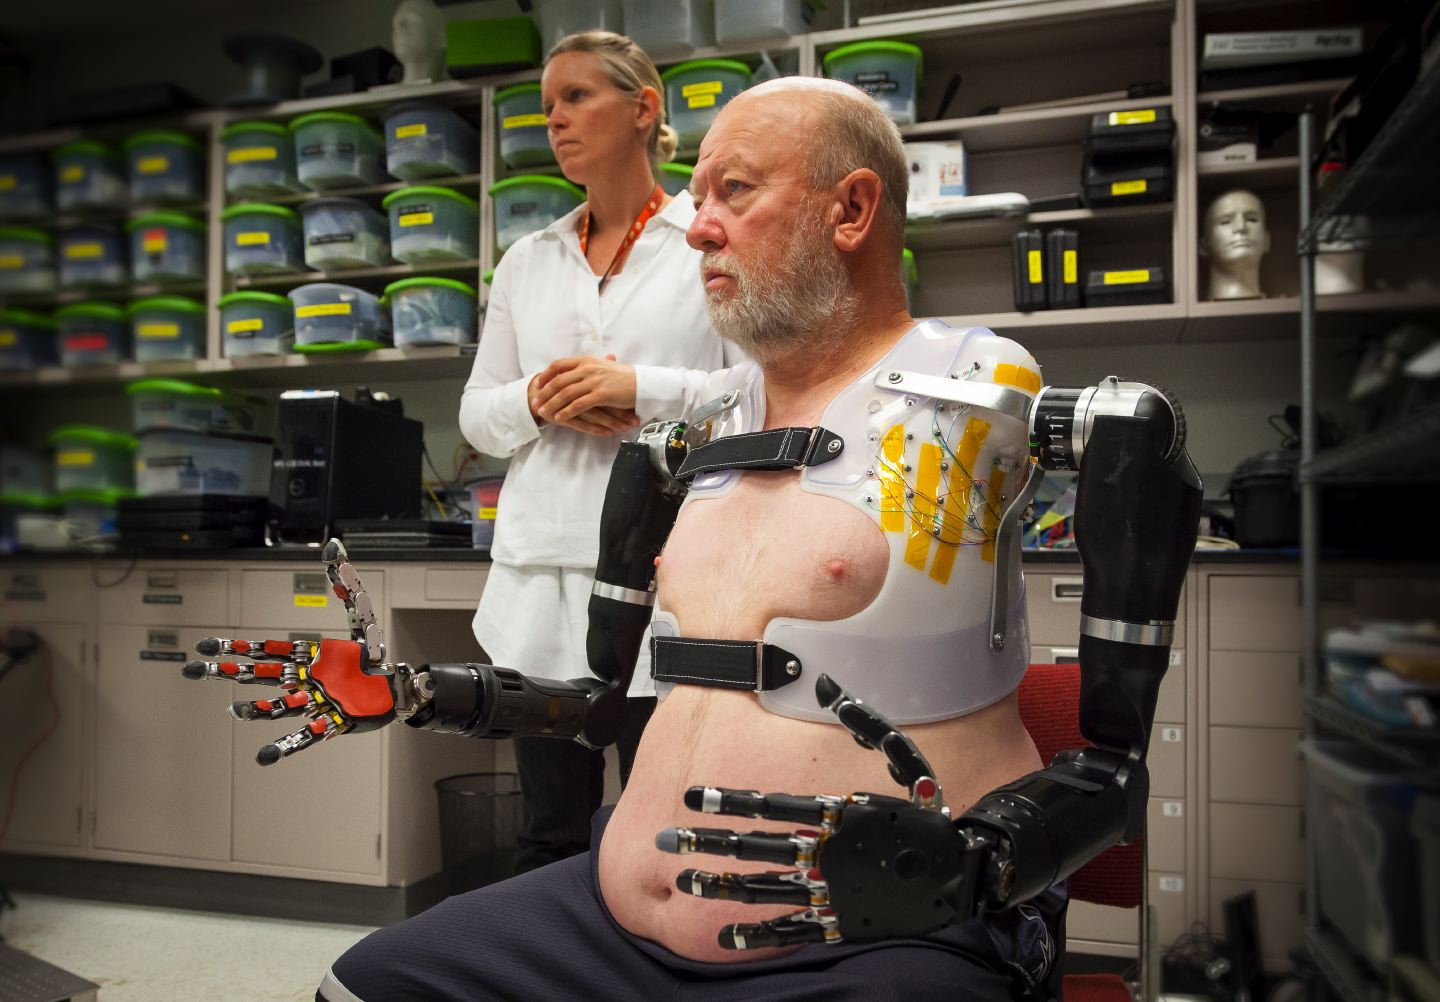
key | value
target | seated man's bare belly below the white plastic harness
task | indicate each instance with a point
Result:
(719, 738)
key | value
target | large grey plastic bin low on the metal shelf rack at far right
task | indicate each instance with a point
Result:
(1359, 808)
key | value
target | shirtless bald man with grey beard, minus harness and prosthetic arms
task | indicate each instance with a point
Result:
(800, 192)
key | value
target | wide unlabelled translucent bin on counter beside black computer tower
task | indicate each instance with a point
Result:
(172, 461)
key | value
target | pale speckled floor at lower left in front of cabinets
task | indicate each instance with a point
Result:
(139, 954)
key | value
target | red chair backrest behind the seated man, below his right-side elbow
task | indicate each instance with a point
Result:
(1050, 708)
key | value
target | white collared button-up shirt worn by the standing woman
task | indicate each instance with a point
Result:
(545, 304)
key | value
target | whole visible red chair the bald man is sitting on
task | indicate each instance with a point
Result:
(1050, 709)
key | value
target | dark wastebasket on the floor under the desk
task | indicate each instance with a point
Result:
(480, 820)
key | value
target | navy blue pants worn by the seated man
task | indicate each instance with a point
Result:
(546, 935)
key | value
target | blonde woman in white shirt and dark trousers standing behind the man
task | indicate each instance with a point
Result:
(595, 325)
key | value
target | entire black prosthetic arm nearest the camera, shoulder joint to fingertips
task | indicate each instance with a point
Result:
(875, 867)
